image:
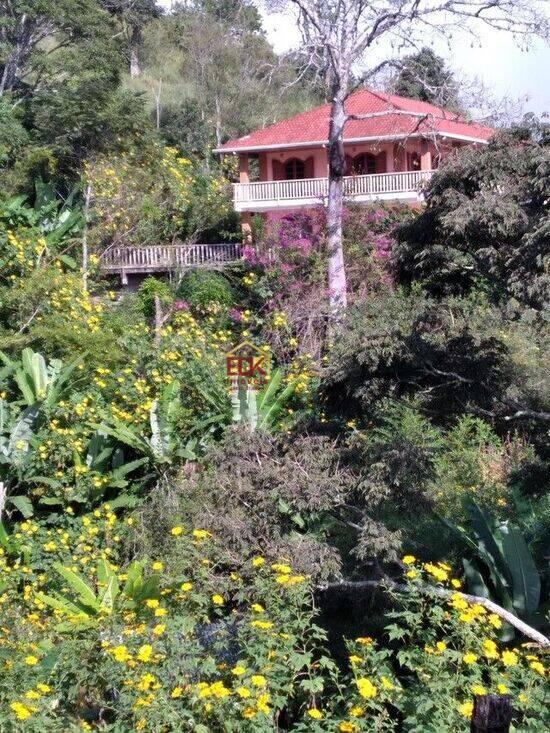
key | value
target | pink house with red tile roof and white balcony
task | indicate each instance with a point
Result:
(392, 146)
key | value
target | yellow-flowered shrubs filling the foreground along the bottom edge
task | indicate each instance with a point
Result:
(90, 640)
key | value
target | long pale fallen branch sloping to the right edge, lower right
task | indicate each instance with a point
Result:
(491, 606)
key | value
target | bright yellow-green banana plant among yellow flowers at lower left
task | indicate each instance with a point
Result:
(85, 603)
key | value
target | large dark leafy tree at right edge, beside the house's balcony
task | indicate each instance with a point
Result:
(485, 226)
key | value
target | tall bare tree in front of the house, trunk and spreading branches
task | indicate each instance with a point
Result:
(340, 34)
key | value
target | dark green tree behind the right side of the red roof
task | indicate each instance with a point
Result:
(425, 76)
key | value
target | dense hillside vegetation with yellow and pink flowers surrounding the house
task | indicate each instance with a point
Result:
(178, 555)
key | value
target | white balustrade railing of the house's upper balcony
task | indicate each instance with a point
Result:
(268, 195)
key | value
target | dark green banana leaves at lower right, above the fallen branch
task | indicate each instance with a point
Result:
(501, 566)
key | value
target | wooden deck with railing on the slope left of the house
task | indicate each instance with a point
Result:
(126, 261)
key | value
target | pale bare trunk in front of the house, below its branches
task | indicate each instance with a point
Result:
(336, 170)
